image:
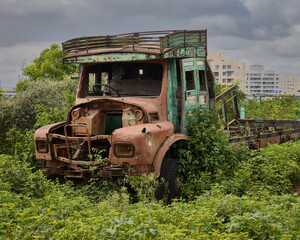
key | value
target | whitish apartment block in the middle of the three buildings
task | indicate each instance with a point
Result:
(260, 82)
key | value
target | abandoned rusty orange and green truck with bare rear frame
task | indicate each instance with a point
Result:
(134, 96)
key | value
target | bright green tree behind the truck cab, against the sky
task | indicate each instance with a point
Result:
(49, 65)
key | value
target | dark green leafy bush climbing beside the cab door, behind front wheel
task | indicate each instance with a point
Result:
(206, 155)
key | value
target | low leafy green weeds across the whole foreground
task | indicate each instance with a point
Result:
(32, 207)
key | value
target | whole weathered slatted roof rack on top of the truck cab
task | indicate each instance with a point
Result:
(161, 44)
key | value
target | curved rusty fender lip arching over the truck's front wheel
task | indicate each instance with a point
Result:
(164, 148)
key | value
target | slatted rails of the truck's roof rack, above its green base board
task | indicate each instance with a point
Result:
(144, 40)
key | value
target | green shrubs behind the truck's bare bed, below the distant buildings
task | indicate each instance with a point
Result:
(276, 108)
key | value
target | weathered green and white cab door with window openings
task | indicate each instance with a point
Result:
(194, 88)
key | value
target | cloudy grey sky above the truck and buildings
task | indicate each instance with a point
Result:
(253, 31)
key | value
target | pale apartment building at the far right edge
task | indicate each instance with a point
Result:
(290, 84)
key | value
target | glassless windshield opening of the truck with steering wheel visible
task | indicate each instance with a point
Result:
(137, 72)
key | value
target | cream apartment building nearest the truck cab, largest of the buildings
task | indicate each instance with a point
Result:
(227, 71)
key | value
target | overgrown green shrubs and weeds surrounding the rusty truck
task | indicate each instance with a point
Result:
(226, 192)
